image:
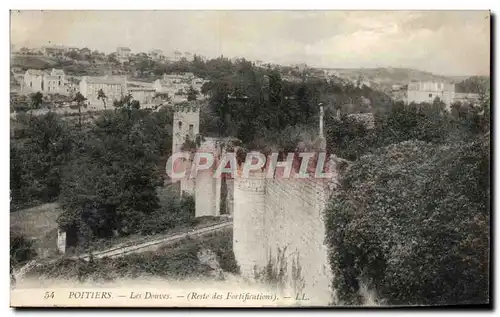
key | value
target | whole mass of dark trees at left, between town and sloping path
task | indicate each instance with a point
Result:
(104, 173)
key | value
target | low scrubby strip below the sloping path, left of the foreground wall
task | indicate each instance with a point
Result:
(180, 261)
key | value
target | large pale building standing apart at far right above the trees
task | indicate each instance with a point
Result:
(427, 92)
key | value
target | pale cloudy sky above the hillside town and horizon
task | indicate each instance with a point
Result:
(442, 42)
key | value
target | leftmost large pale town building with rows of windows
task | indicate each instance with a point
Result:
(46, 82)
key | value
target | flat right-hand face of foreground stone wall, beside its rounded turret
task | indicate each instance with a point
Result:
(294, 224)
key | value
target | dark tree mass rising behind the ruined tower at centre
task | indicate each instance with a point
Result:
(251, 102)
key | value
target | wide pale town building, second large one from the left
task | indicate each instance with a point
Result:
(113, 87)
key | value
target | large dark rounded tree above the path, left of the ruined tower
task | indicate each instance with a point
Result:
(111, 184)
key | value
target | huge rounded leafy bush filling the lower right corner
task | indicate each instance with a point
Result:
(412, 222)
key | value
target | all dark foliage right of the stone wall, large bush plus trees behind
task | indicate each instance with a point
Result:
(411, 218)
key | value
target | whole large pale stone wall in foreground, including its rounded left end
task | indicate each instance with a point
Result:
(286, 215)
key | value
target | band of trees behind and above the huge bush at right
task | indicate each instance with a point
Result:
(350, 138)
